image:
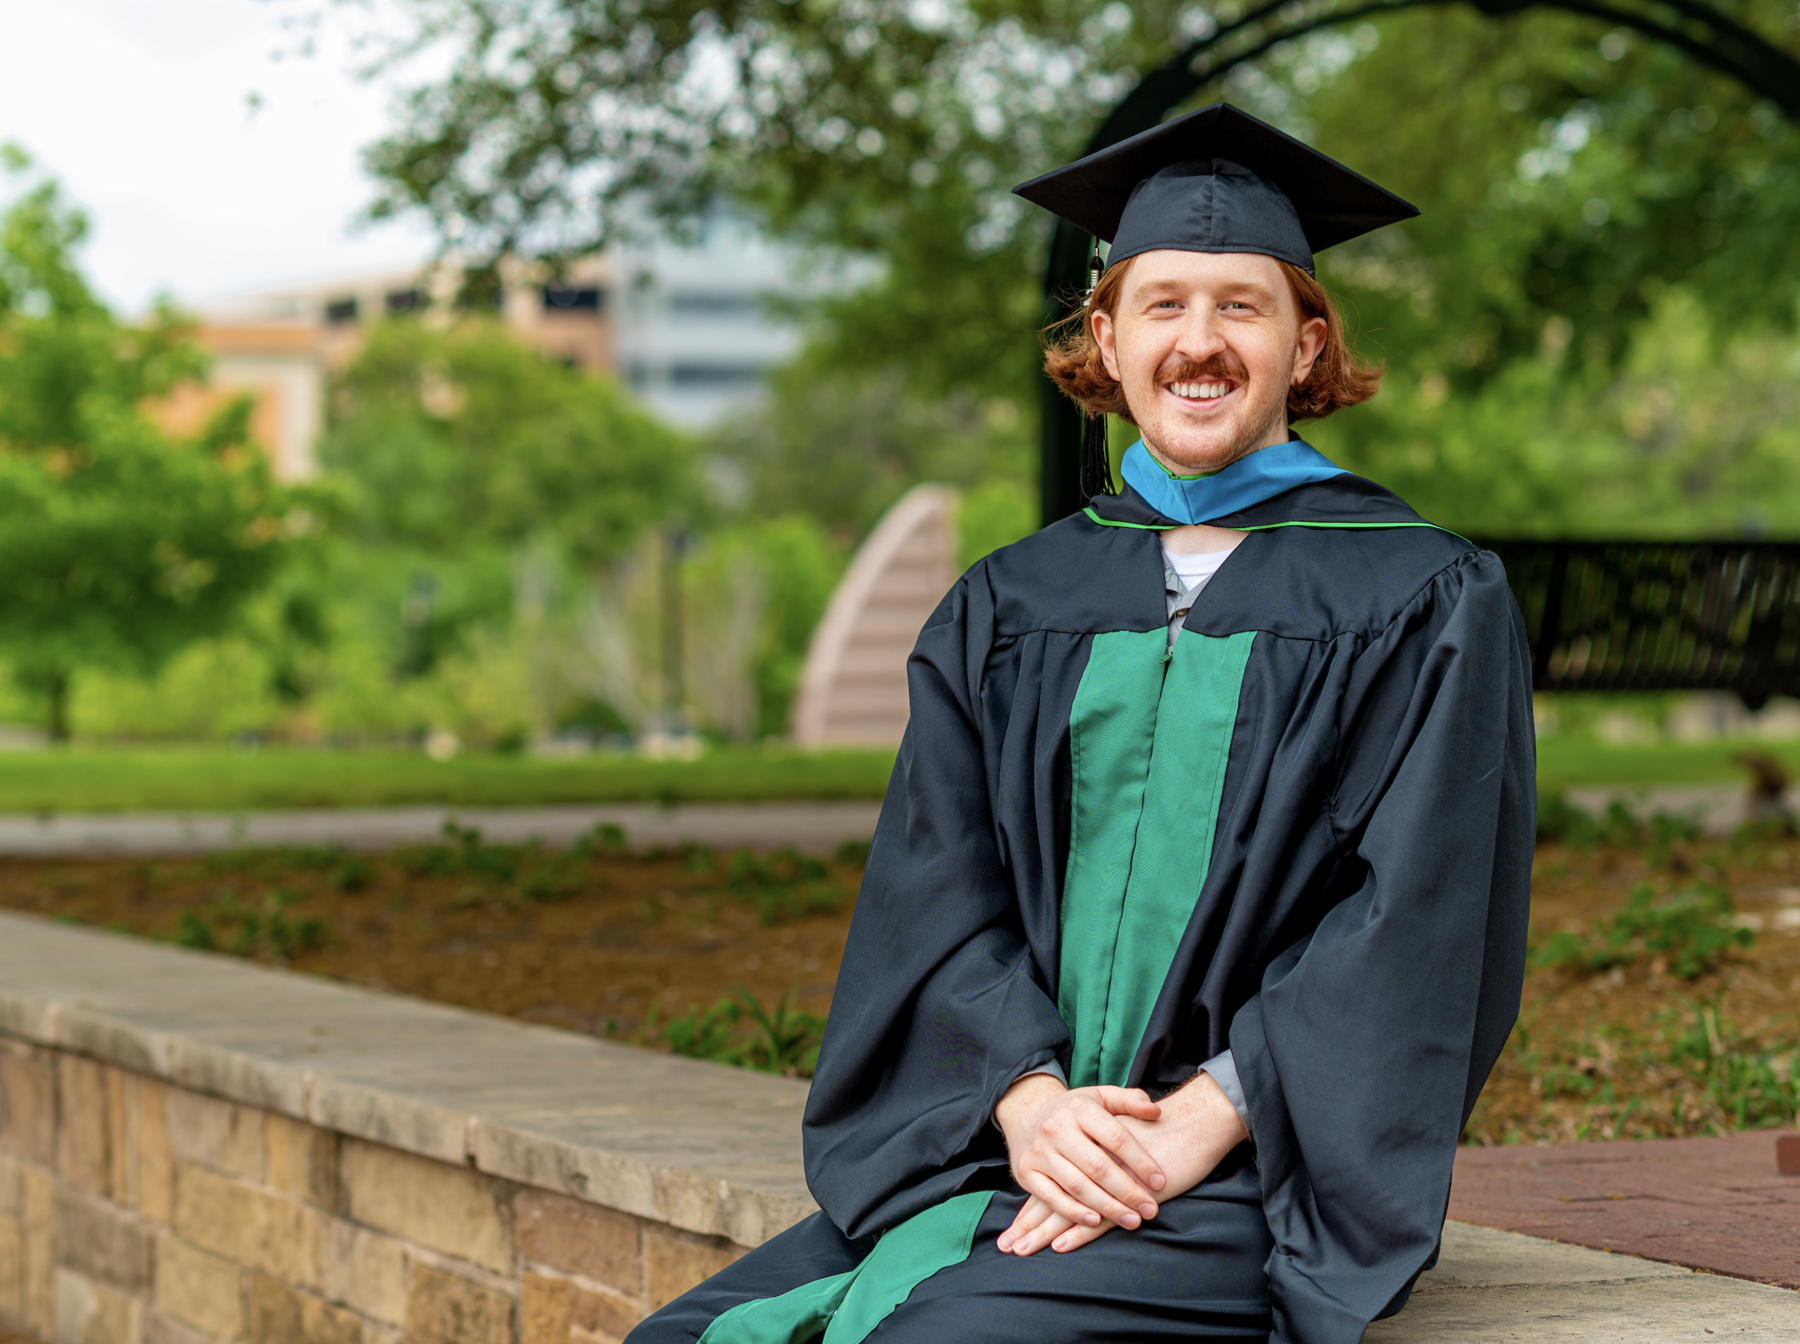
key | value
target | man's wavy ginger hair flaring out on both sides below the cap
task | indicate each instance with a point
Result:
(1338, 379)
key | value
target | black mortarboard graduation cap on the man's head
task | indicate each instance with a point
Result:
(1216, 181)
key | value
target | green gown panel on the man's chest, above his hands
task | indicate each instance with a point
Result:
(1149, 740)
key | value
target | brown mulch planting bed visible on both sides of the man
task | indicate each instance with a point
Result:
(618, 945)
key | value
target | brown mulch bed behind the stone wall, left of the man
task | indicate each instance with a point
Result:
(622, 940)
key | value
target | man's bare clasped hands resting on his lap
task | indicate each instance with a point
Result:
(1101, 1158)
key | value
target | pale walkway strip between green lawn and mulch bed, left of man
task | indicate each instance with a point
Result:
(818, 827)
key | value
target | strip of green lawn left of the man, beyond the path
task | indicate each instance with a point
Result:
(215, 780)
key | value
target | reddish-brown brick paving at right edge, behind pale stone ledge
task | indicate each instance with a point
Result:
(1711, 1205)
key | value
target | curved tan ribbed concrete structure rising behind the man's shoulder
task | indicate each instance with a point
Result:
(852, 690)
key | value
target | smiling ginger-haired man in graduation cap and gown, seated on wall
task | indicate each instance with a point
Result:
(1196, 913)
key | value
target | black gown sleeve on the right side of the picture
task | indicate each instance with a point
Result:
(1371, 1039)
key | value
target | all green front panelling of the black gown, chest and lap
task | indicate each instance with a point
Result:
(1149, 740)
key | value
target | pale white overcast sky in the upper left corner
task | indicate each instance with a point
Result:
(143, 111)
